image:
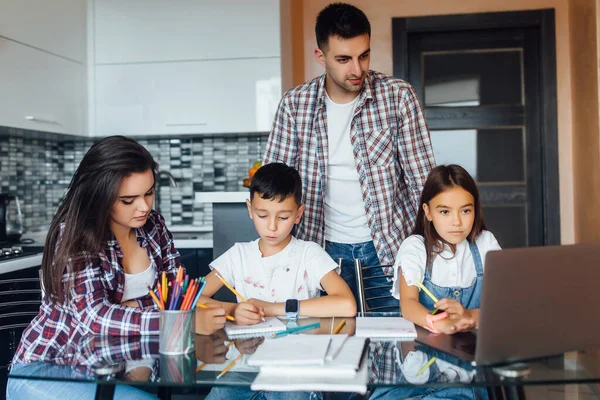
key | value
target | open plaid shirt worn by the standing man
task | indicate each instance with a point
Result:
(392, 152)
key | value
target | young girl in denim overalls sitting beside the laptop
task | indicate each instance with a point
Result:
(445, 254)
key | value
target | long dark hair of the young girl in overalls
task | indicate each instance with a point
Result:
(441, 178)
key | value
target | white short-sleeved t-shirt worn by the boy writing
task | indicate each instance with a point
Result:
(293, 273)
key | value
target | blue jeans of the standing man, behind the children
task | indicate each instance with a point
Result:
(366, 253)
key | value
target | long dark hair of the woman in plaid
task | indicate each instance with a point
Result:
(84, 212)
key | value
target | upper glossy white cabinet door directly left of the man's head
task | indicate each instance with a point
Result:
(133, 31)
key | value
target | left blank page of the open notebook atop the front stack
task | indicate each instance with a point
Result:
(292, 350)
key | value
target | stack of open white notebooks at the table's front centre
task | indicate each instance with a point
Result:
(312, 362)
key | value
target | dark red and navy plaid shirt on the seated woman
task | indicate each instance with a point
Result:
(94, 307)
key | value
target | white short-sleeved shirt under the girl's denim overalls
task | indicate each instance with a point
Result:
(448, 270)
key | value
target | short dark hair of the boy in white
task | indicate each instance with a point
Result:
(276, 181)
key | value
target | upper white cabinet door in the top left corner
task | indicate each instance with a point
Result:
(55, 26)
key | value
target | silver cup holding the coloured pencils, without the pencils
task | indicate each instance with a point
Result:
(177, 331)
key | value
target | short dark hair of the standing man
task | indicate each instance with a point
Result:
(340, 19)
